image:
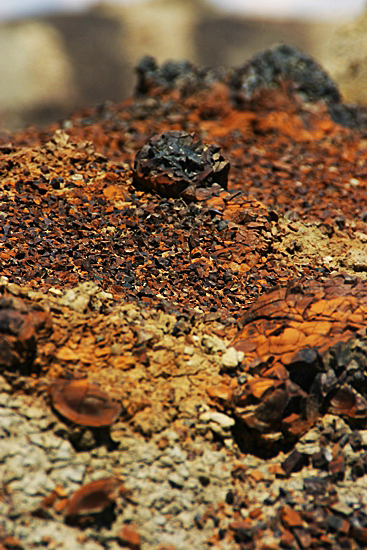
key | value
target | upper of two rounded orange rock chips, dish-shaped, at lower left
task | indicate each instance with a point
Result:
(83, 403)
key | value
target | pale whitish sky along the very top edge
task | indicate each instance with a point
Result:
(310, 9)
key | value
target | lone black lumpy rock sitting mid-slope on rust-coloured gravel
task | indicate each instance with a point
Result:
(173, 164)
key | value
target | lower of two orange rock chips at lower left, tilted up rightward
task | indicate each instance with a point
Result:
(92, 498)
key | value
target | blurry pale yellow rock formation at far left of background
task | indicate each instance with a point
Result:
(35, 73)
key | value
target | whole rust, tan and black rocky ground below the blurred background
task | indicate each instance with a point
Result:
(182, 319)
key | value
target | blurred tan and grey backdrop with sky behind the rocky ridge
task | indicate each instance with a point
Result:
(58, 55)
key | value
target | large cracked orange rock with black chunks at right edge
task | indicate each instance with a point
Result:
(305, 352)
